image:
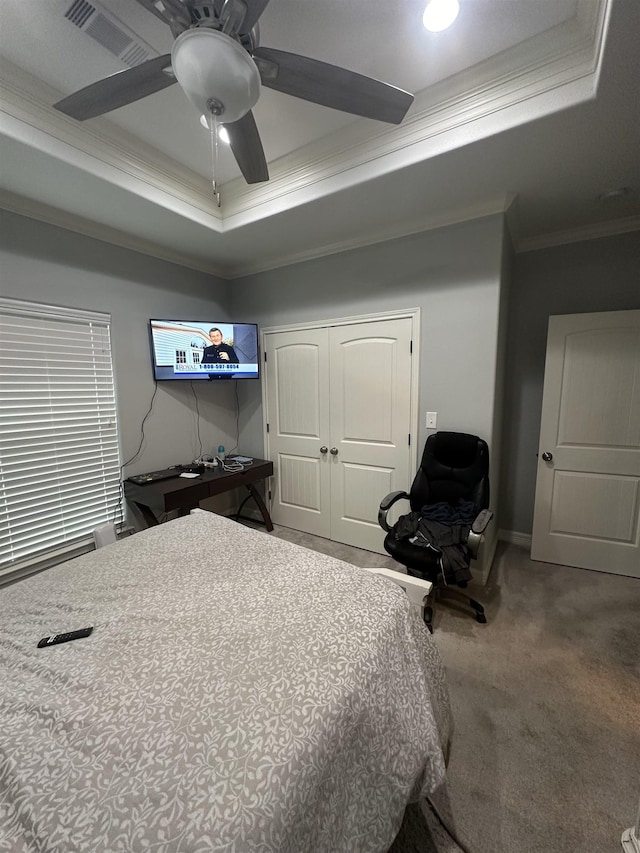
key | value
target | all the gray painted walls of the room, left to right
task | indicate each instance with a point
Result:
(451, 274)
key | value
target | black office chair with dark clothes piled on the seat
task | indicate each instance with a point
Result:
(449, 501)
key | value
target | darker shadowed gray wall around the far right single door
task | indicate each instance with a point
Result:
(595, 275)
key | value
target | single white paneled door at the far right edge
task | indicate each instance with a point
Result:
(587, 506)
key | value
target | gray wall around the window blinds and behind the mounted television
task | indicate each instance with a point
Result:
(42, 263)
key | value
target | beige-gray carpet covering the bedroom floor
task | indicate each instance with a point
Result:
(546, 700)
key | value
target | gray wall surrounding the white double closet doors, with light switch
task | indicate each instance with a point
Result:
(452, 275)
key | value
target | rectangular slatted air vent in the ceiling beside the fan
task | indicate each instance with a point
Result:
(110, 32)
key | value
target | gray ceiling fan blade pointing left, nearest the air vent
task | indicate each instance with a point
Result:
(119, 89)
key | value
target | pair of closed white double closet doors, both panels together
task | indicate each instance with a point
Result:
(339, 417)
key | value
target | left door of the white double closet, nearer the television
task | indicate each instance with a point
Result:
(298, 417)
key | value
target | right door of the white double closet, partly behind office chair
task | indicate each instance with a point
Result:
(370, 425)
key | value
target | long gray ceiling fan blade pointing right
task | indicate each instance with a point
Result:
(331, 85)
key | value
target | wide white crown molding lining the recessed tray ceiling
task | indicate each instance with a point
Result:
(474, 104)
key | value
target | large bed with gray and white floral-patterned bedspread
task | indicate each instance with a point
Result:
(238, 693)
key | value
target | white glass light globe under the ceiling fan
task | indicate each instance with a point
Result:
(217, 74)
